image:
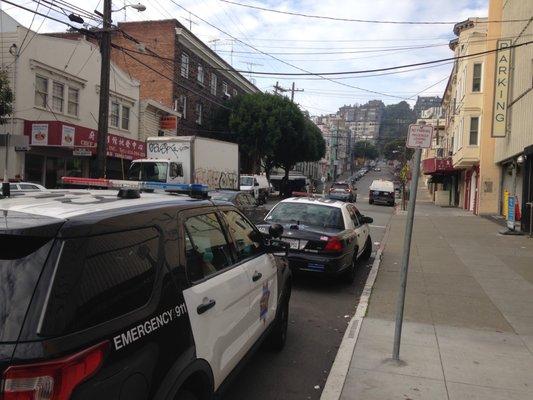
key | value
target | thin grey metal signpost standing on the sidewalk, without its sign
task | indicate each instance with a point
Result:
(405, 256)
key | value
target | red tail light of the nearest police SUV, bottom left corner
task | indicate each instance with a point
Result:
(53, 380)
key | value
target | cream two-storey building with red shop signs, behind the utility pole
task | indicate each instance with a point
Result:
(54, 127)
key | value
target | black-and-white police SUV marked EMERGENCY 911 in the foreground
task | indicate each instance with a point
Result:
(137, 296)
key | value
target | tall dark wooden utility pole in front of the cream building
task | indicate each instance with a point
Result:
(103, 110)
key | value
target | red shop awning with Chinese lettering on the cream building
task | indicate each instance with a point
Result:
(70, 136)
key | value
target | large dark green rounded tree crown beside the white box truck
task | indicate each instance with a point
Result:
(271, 131)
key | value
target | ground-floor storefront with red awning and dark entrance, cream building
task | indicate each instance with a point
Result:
(59, 149)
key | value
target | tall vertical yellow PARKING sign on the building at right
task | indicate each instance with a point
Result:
(501, 88)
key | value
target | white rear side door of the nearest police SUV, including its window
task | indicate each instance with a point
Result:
(219, 299)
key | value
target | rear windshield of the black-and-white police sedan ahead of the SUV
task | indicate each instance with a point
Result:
(307, 214)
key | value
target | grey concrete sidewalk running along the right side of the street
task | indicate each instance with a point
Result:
(468, 328)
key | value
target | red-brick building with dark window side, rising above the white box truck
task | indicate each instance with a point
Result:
(177, 69)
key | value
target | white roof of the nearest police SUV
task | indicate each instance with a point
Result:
(69, 204)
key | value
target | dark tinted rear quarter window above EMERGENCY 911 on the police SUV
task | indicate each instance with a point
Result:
(101, 278)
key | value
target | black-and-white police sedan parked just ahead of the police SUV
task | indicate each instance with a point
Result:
(326, 237)
